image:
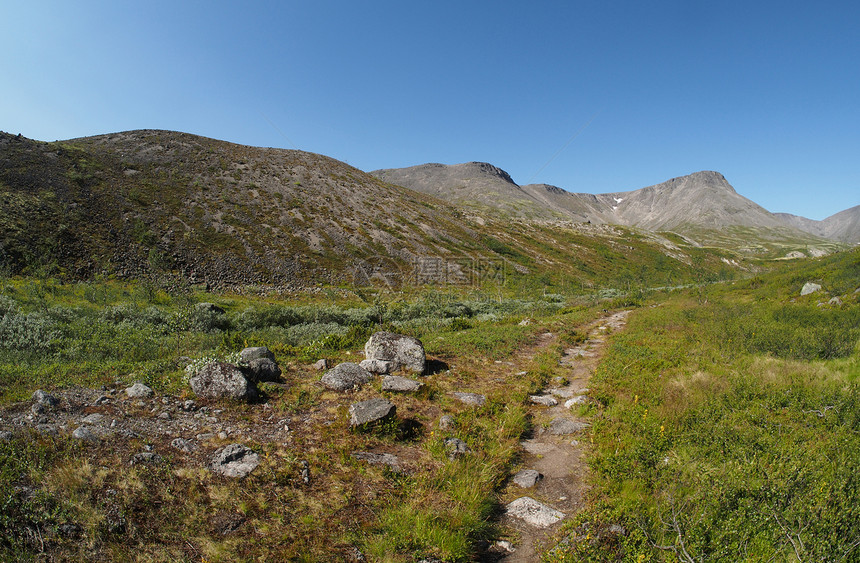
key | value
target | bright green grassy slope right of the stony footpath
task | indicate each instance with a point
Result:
(729, 426)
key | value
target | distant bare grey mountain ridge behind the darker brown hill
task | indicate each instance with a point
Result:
(692, 205)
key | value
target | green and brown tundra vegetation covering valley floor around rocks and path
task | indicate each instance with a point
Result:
(726, 425)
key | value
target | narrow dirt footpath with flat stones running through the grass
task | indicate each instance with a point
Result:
(558, 457)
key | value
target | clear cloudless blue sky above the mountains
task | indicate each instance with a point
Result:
(591, 96)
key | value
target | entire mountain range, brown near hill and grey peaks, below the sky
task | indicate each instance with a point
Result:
(171, 205)
